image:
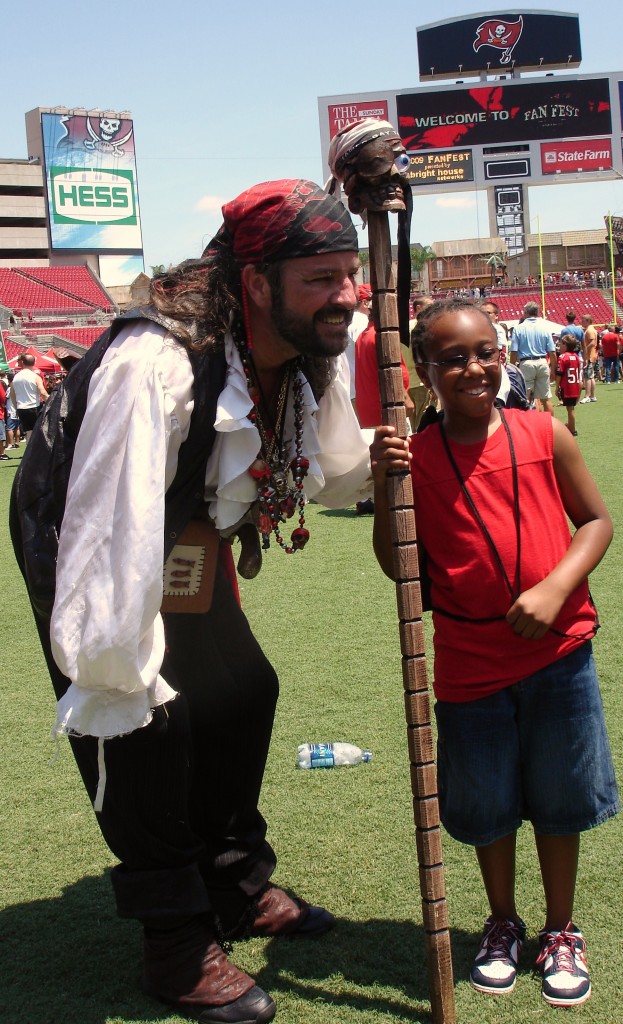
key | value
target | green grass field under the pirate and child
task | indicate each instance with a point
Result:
(345, 838)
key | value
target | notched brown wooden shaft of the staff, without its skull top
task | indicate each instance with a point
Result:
(406, 573)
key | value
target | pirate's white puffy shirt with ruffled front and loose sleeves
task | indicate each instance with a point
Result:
(107, 632)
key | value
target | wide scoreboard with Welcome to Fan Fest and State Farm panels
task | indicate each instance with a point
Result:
(497, 133)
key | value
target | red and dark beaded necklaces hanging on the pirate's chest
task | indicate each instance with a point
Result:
(278, 499)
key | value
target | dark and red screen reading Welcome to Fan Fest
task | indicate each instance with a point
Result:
(504, 114)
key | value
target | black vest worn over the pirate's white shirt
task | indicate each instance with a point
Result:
(39, 492)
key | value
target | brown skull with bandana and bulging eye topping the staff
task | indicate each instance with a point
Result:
(369, 160)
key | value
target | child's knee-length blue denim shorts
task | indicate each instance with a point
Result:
(537, 751)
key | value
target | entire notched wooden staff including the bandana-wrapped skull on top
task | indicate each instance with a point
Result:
(369, 160)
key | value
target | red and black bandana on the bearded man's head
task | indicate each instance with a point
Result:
(284, 220)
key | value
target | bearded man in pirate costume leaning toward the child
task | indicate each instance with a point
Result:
(222, 402)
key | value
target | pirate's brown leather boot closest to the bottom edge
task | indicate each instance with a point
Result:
(186, 968)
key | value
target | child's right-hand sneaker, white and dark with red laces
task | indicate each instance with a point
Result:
(566, 980)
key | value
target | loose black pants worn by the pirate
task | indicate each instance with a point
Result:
(181, 800)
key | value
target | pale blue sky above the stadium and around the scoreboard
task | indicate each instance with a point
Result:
(226, 95)
